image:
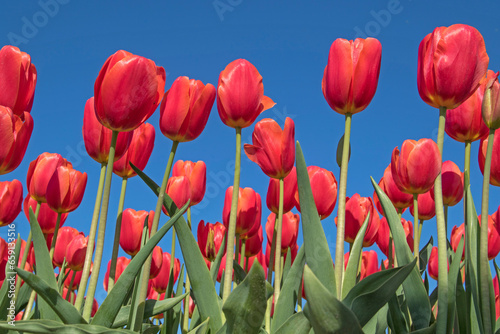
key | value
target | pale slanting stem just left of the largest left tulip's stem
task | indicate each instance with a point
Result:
(90, 247)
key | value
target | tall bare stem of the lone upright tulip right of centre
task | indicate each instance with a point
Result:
(339, 249)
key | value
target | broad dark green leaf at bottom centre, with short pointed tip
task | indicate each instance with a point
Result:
(245, 307)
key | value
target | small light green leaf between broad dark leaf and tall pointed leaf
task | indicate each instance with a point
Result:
(284, 308)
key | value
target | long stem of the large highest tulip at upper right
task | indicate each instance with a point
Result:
(441, 232)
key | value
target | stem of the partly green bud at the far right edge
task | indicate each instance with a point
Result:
(484, 267)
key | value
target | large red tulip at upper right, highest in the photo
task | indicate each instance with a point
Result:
(451, 63)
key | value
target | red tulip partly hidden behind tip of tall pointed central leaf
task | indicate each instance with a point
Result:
(324, 190)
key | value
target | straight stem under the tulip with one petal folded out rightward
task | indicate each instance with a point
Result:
(228, 273)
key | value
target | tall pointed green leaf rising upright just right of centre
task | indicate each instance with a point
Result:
(318, 256)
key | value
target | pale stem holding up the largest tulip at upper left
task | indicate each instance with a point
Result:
(87, 309)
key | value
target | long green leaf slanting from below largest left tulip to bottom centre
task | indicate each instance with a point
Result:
(201, 283)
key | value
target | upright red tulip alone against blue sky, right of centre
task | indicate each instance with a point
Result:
(351, 75)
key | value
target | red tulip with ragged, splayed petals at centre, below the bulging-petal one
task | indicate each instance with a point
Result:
(273, 149)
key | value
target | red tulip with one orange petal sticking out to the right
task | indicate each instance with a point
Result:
(240, 94)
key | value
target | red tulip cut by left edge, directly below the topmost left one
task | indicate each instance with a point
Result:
(14, 137)
